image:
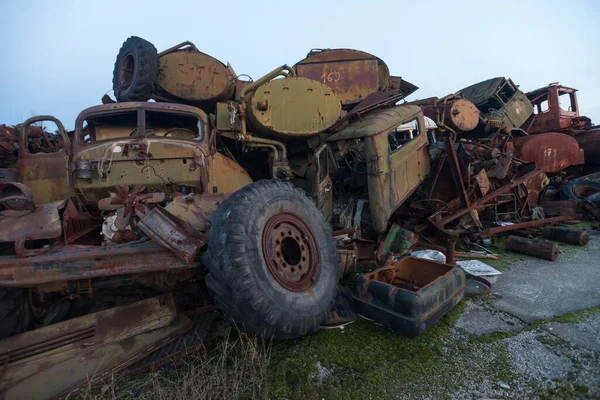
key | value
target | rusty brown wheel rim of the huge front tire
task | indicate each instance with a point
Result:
(291, 252)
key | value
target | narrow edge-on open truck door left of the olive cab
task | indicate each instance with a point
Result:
(323, 183)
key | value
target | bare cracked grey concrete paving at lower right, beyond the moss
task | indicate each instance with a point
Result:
(548, 314)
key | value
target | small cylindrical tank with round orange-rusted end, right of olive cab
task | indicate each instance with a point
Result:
(459, 115)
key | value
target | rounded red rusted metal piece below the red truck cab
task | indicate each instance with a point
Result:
(551, 152)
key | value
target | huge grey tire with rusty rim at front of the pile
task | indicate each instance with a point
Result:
(263, 283)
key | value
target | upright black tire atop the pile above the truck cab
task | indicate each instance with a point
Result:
(136, 70)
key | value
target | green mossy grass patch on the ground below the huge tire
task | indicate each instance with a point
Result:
(365, 360)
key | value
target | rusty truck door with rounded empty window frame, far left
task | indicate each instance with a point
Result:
(43, 162)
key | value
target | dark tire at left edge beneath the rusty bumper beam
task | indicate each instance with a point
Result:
(15, 314)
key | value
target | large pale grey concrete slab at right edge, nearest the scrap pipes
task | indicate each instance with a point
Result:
(536, 289)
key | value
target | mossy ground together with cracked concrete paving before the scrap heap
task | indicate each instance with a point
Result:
(537, 336)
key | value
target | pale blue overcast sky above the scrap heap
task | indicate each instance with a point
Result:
(58, 56)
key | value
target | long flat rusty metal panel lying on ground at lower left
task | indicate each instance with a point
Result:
(52, 361)
